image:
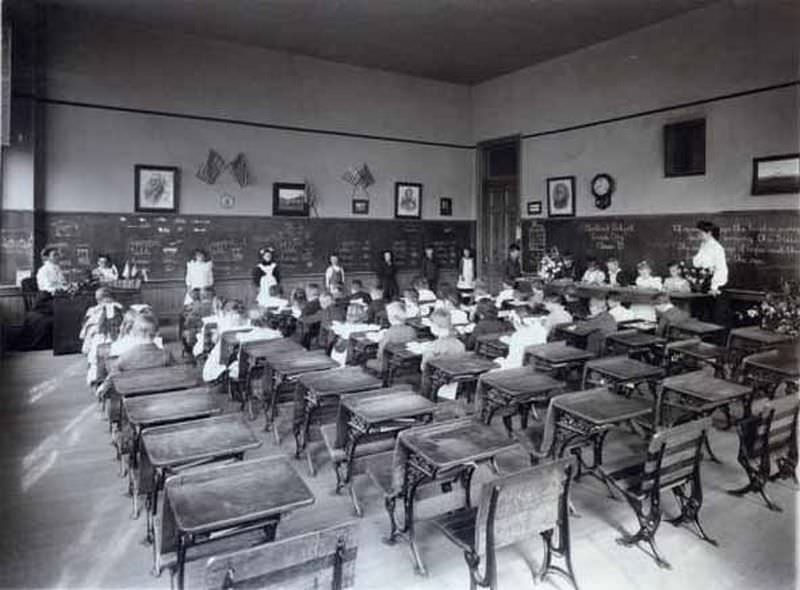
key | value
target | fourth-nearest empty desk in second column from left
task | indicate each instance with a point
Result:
(283, 368)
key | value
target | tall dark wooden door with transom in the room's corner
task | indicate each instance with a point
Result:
(498, 207)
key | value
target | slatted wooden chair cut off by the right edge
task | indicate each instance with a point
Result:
(770, 436)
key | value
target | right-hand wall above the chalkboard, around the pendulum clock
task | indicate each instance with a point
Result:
(730, 47)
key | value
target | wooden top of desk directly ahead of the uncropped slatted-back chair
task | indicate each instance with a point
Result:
(601, 407)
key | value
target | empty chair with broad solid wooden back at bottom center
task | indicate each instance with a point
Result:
(514, 508)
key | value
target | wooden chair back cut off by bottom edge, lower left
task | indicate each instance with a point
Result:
(322, 559)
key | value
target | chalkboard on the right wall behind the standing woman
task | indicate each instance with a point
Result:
(762, 247)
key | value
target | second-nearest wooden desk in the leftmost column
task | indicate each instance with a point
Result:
(174, 446)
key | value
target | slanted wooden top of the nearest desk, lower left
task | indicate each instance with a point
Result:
(230, 495)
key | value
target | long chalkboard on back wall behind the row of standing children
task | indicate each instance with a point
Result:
(162, 244)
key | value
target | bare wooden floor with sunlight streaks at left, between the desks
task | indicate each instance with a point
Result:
(68, 523)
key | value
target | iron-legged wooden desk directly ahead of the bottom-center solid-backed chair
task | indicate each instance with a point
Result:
(456, 446)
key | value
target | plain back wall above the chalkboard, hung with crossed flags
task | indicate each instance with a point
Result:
(90, 152)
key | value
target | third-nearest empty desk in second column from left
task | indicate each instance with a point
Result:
(313, 390)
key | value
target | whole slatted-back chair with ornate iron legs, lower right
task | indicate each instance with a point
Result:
(671, 462)
